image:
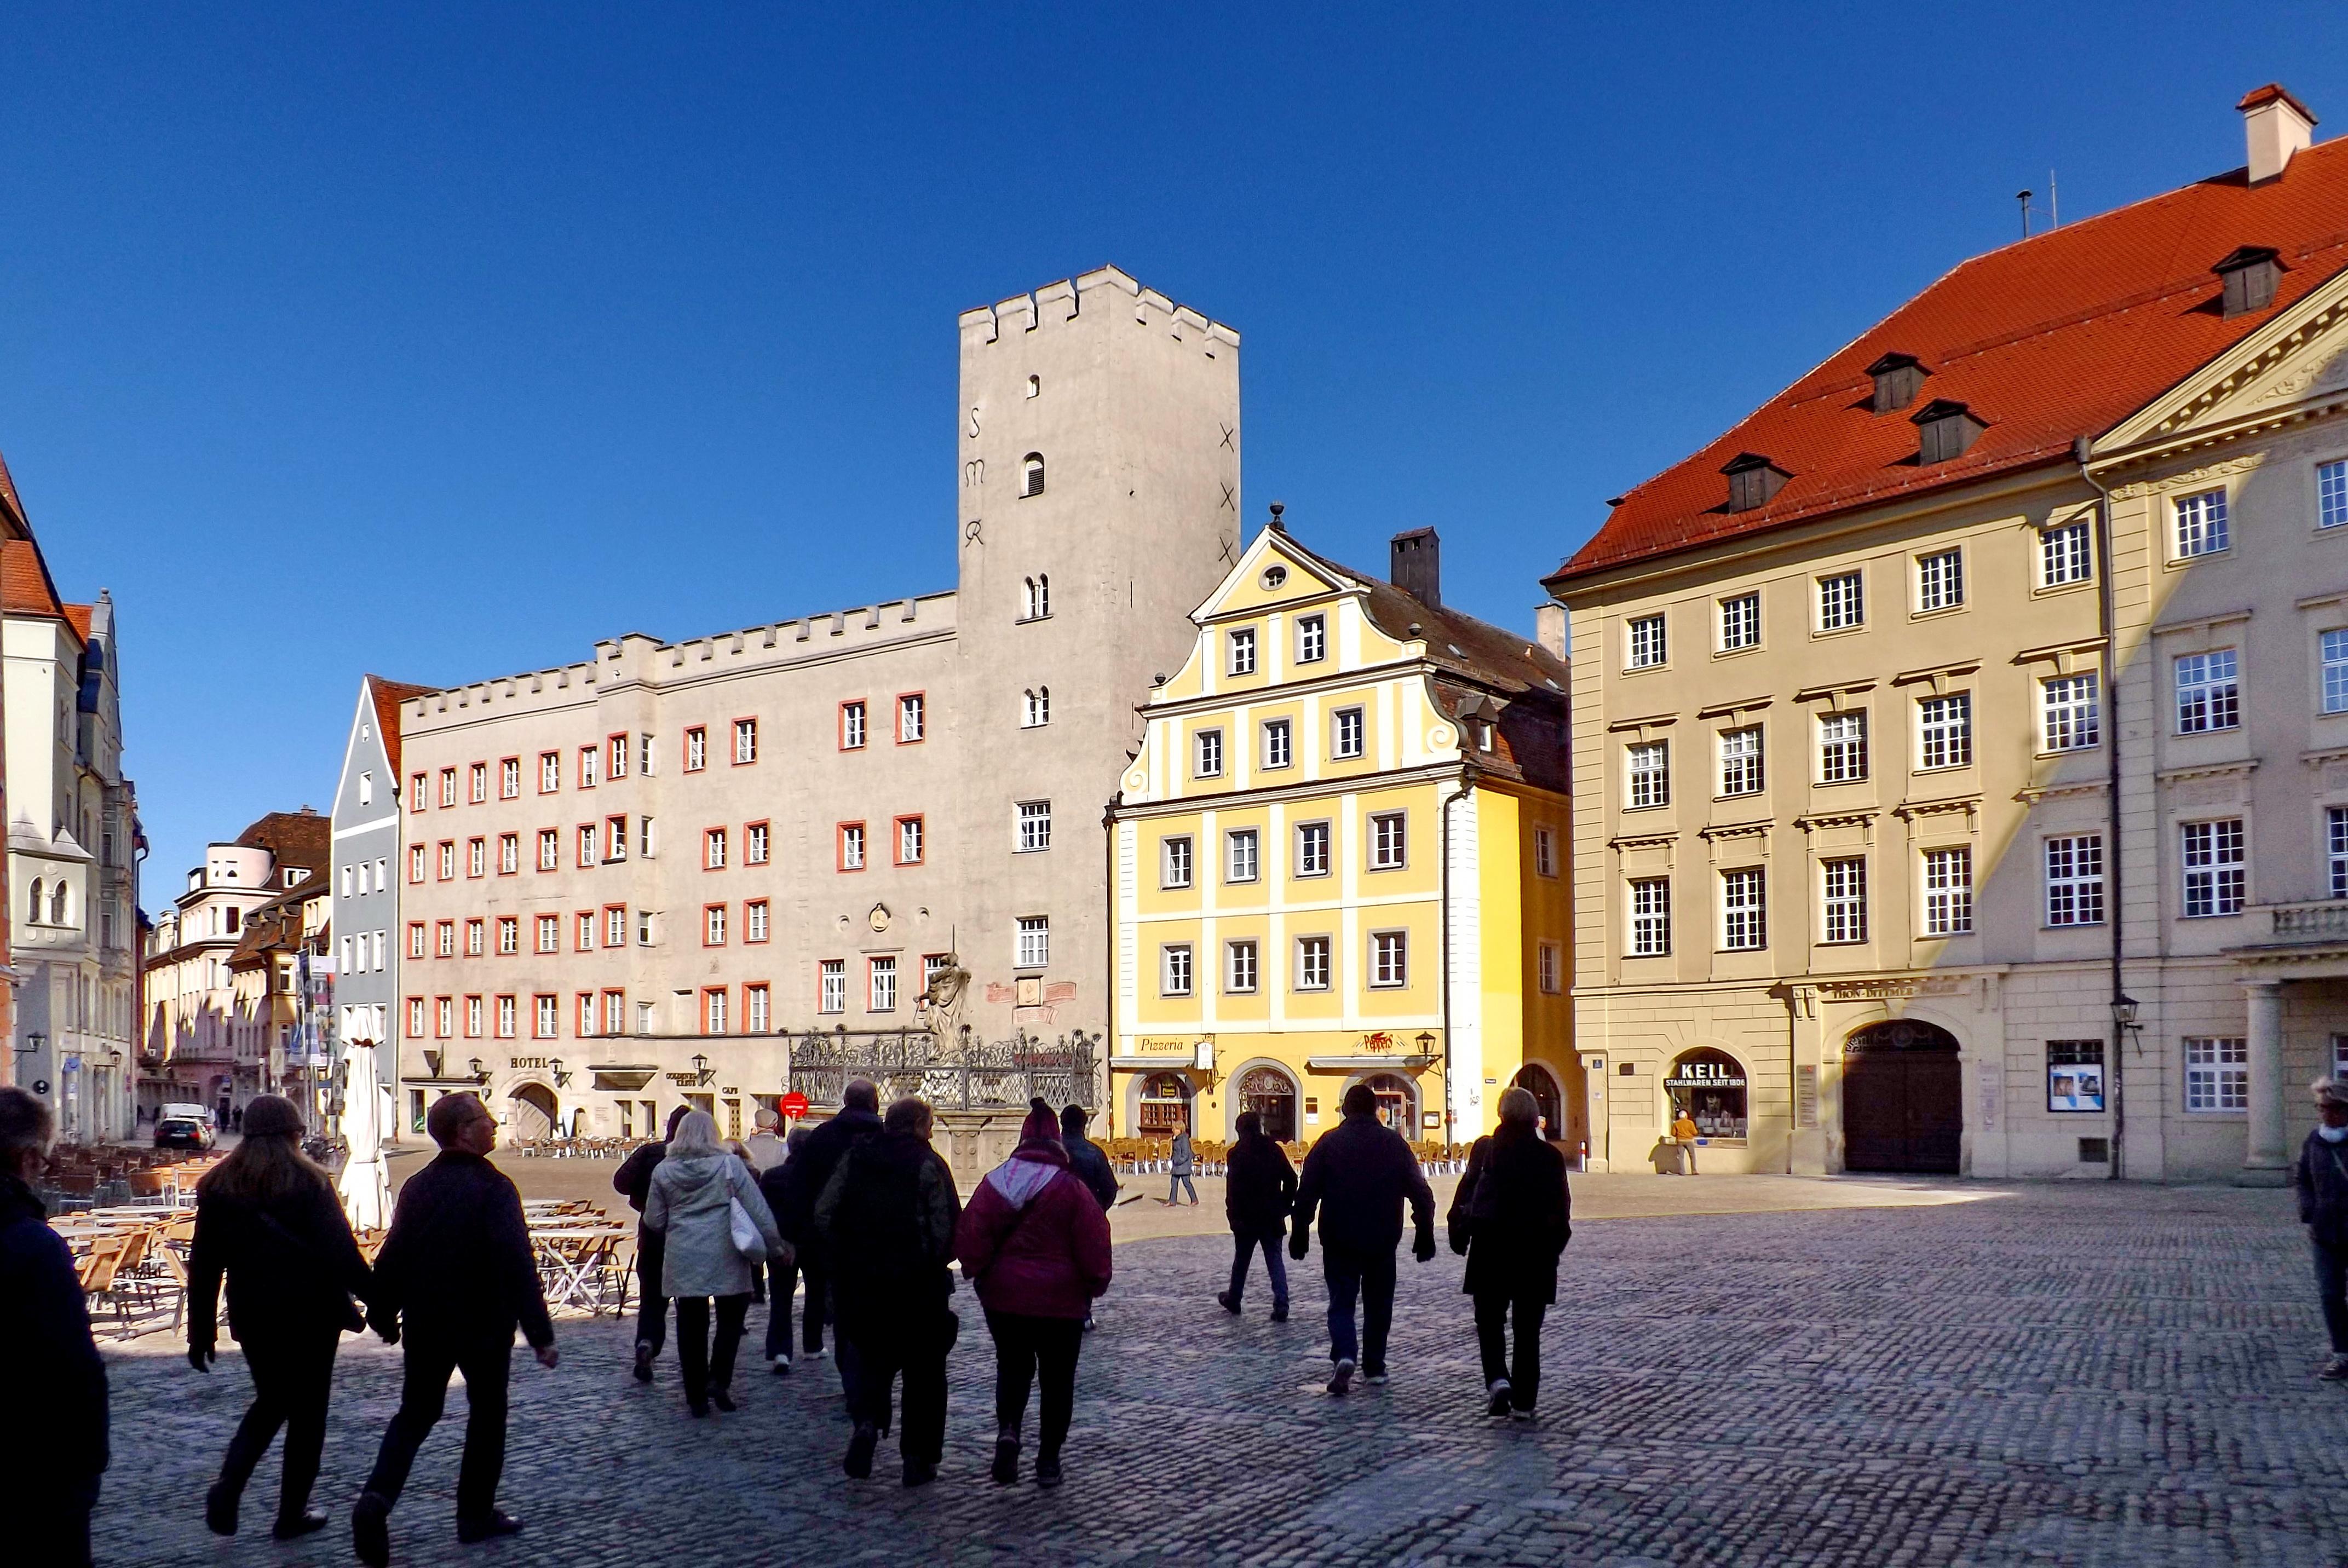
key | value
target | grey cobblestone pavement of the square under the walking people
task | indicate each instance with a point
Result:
(2056, 1374)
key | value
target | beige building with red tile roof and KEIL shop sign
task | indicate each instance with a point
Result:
(1962, 741)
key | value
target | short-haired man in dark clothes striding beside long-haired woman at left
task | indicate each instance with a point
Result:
(457, 1276)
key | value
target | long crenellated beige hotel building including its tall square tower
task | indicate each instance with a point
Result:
(623, 881)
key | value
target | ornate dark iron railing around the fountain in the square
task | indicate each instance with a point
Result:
(959, 1074)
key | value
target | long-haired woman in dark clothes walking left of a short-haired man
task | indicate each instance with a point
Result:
(271, 1222)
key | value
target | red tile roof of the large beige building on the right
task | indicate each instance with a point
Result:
(2049, 339)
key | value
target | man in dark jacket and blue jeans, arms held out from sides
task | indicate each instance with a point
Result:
(1358, 1177)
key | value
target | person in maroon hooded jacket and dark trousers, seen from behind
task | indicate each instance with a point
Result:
(1037, 1248)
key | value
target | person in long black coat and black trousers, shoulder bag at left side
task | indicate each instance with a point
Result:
(1513, 1219)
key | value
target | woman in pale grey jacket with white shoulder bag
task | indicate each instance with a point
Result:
(691, 1205)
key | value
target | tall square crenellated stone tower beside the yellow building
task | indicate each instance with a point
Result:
(1098, 506)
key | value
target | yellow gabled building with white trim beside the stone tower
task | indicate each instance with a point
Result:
(1342, 858)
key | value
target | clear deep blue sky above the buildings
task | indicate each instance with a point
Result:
(443, 342)
